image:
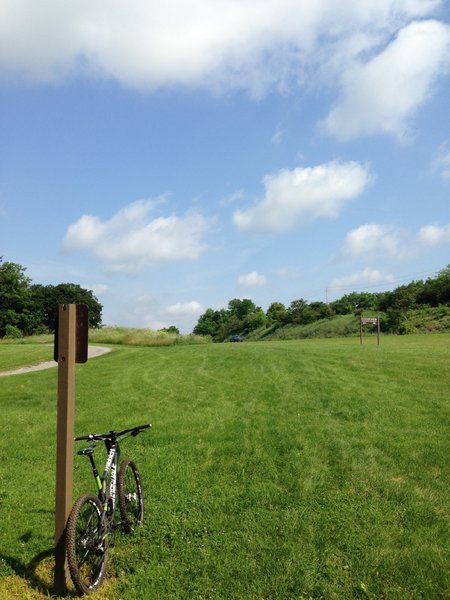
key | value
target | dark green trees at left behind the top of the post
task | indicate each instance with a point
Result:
(30, 309)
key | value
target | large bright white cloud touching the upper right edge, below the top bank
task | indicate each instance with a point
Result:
(384, 93)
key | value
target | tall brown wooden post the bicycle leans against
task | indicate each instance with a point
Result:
(65, 435)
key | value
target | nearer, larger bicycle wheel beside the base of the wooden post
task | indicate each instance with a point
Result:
(86, 545)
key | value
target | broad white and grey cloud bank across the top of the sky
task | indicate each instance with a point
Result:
(211, 43)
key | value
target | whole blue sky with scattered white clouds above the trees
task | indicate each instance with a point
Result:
(174, 155)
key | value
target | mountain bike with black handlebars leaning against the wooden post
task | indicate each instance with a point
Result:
(92, 520)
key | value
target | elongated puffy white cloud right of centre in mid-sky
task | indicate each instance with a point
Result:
(304, 194)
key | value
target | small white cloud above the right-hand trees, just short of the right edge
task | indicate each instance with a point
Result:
(372, 240)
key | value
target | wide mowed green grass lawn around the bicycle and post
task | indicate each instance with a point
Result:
(279, 470)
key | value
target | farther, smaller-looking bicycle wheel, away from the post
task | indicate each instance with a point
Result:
(130, 496)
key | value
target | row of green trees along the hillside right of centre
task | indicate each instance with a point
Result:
(241, 317)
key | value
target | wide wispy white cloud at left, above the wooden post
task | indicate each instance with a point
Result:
(132, 240)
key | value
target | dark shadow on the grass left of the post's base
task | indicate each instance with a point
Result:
(38, 573)
